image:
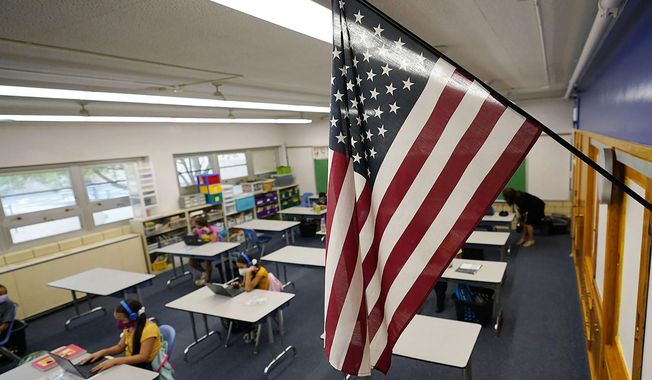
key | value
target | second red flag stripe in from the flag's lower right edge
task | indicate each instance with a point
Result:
(464, 152)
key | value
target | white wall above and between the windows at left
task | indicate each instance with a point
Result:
(31, 144)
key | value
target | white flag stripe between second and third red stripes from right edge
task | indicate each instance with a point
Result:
(455, 129)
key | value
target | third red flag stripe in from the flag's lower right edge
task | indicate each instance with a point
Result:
(448, 102)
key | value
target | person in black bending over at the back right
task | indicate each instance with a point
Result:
(530, 208)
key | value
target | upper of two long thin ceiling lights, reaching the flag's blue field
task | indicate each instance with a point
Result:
(51, 93)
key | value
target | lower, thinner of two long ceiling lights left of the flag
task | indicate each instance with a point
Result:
(138, 119)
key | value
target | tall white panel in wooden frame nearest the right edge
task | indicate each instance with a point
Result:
(633, 240)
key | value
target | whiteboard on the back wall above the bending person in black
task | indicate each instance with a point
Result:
(548, 170)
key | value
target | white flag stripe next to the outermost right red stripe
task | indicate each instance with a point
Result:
(498, 140)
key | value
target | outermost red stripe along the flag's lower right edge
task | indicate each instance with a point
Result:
(489, 189)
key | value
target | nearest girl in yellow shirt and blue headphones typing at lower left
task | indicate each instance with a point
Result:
(140, 340)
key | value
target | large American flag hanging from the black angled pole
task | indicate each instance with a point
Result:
(419, 150)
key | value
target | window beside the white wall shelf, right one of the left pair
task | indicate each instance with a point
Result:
(108, 193)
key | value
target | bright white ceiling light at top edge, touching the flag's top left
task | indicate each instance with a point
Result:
(303, 16)
